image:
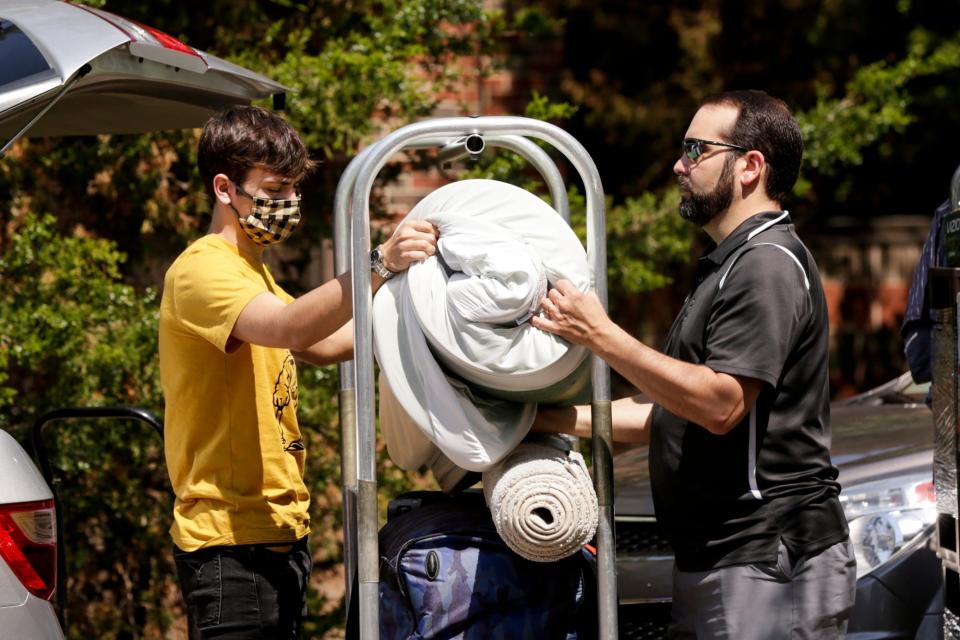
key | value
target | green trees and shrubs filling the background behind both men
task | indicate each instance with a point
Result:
(872, 84)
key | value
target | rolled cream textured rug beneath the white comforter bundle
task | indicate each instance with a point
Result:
(542, 501)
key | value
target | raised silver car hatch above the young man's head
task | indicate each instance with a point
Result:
(74, 70)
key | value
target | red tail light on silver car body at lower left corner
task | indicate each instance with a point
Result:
(28, 544)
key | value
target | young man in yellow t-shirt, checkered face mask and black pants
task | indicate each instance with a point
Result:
(228, 338)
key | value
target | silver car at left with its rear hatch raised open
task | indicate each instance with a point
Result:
(75, 70)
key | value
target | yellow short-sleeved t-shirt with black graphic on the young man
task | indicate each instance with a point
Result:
(232, 442)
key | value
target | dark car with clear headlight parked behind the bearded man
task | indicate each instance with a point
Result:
(883, 447)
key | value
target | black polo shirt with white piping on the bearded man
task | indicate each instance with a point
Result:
(758, 311)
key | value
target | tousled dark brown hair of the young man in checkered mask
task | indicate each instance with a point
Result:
(241, 138)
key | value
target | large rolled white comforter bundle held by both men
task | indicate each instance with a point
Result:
(461, 368)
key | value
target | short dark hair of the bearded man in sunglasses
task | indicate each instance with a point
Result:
(765, 123)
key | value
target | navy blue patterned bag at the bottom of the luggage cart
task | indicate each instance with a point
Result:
(445, 573)
